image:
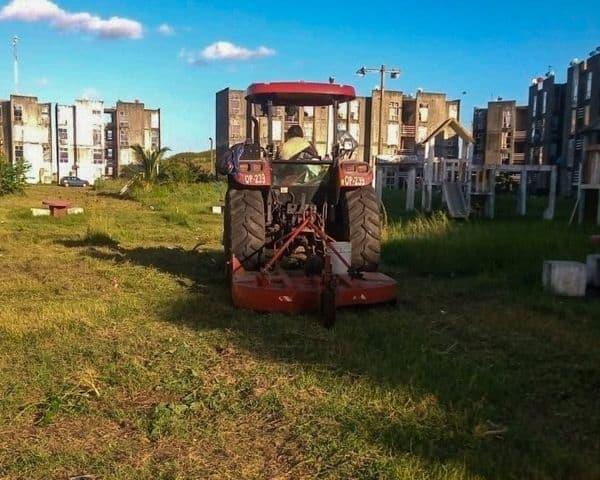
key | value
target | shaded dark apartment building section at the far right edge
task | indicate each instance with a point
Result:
(582, 110)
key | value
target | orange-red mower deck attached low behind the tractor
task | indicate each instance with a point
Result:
(294, 292)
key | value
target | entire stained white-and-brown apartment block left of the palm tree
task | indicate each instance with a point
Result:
(84, 139)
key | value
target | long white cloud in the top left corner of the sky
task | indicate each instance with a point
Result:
(47, 11)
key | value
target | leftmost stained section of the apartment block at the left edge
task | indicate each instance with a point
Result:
(26, 134)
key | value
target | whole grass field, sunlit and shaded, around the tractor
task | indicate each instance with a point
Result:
(122, 358)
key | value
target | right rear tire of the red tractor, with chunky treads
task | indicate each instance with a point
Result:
(362, 227)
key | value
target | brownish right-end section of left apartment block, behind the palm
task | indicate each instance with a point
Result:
(125, 125)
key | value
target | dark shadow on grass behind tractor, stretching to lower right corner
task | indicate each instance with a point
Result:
(458, 387)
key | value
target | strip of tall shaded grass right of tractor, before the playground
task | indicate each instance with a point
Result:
(512, 248)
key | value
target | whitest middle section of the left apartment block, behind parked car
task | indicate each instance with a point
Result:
(80, 140)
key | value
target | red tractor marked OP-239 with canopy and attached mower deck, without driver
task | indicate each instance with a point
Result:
(285, 219)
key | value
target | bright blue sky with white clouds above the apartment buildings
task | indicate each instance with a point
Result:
(486, 49)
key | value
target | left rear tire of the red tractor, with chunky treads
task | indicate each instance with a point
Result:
(244, 229)
